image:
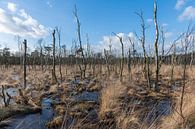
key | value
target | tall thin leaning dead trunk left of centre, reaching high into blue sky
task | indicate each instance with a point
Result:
(82, 69)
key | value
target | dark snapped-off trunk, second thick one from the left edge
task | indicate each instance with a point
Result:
(54, 79)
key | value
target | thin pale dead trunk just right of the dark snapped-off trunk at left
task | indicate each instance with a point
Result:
(60, 61)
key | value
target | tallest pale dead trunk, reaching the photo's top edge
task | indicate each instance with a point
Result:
(156, 47)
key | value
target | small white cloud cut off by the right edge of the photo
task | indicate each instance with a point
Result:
(188, 14)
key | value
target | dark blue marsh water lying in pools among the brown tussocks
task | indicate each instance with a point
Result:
(38, 120)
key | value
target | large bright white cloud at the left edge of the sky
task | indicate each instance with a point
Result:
(21, 23)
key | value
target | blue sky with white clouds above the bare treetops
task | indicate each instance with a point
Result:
(35, 19)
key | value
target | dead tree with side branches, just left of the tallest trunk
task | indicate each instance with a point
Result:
(146, 58)
